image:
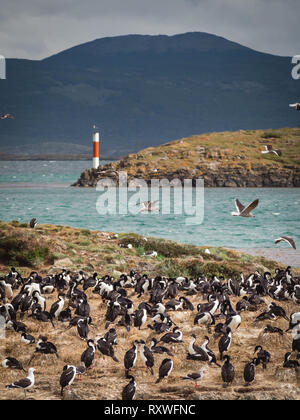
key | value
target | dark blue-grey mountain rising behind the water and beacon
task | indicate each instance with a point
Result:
(143, 91)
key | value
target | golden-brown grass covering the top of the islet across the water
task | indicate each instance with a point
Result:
(229, 149)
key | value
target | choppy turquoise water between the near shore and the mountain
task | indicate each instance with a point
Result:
(42, 189)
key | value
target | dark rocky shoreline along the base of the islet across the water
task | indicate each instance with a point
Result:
(214, 169)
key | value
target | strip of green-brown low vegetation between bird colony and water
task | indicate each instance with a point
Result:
(49, 247)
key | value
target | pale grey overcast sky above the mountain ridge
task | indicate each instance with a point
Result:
(36, 29)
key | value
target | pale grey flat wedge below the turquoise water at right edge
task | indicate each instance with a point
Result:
(288, 256)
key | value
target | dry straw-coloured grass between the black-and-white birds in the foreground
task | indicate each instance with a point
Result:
(106, 380)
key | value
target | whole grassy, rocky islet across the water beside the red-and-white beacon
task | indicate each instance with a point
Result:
(229, 159)
